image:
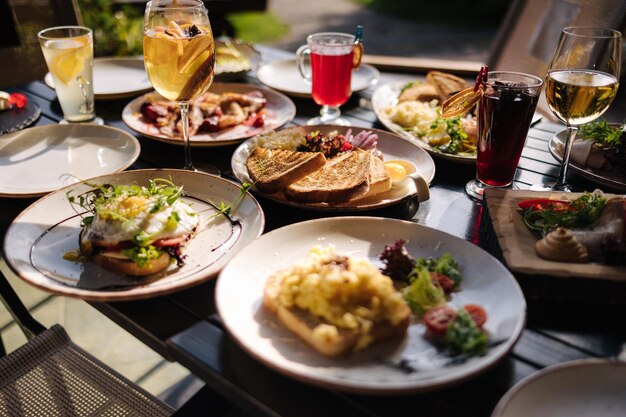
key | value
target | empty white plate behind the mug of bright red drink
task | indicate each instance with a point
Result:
(285, 76)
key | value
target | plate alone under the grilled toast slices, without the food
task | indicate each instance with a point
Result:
(392, 147)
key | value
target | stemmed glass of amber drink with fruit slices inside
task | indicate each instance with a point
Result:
(179, 54)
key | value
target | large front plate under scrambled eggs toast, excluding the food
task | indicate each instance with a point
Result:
(239, 298)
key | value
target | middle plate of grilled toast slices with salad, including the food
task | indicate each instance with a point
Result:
(334, 168)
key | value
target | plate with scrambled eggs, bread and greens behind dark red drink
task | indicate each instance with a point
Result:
(412, 111)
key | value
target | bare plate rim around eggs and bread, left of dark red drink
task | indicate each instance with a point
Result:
(386, 96)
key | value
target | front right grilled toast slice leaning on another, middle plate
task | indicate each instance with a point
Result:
(341, 179)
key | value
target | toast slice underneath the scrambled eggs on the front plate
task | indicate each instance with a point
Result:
(303, 324)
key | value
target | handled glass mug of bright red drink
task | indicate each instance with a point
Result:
(333, 56)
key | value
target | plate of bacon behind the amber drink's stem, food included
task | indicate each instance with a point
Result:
(225, 115)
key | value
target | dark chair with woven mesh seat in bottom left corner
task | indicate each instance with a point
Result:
(50, 375)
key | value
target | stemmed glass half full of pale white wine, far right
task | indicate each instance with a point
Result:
(581, 83)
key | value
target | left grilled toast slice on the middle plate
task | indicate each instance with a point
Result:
(273, 170)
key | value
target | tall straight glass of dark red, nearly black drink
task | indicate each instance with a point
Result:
(505, 111)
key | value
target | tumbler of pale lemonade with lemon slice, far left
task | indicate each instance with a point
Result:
(68, 51)
